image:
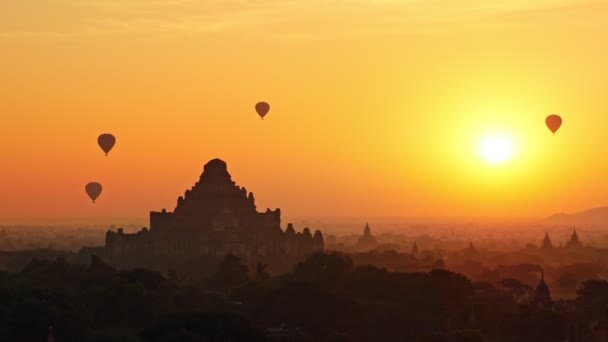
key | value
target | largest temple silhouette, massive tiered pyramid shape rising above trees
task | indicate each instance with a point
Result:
(214, 218)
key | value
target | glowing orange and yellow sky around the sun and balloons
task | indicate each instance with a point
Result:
(376, 105)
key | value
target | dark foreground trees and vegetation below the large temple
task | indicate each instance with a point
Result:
(325, 298)
